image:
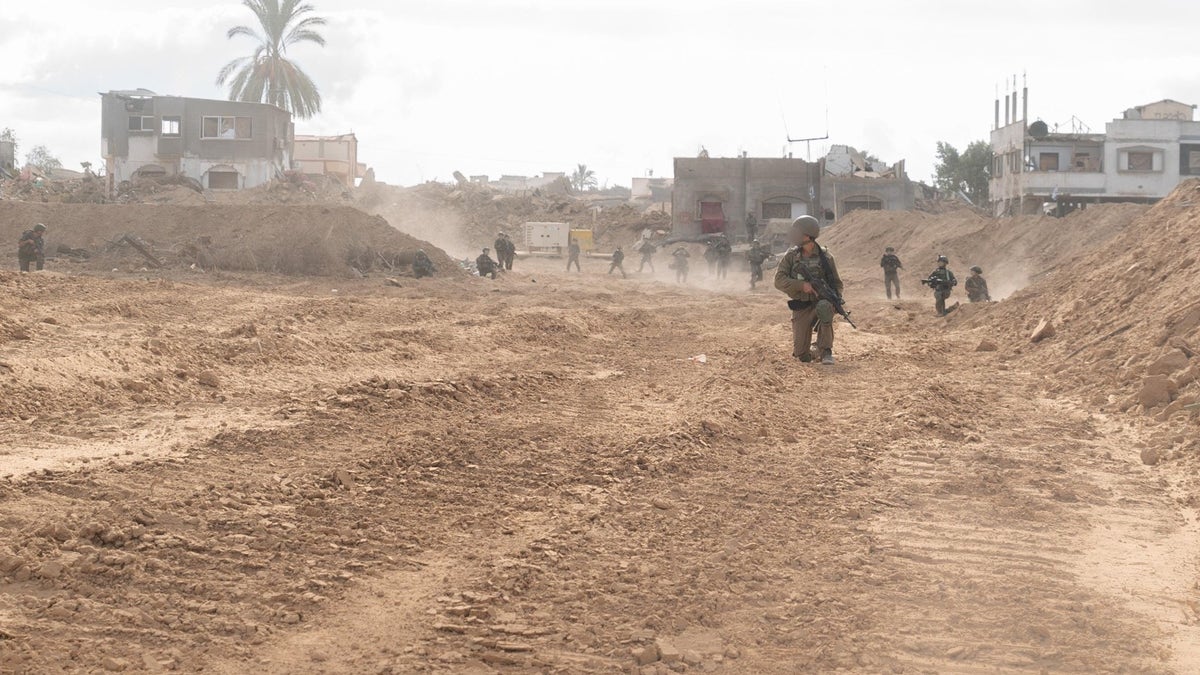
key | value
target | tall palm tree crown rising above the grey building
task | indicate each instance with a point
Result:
(269, 76)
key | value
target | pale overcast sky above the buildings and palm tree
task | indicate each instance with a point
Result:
(523, 87)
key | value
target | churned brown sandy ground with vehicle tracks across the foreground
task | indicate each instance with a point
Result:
(254, 475)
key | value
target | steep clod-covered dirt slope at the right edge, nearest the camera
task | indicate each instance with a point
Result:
(1125, 318)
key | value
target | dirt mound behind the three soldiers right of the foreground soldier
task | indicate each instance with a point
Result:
(1012, 252)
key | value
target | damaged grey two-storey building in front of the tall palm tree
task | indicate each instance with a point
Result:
(224, 145)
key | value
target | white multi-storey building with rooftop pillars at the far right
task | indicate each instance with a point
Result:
(1142, 157)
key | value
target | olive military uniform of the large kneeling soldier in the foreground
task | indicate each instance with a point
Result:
(808, 310)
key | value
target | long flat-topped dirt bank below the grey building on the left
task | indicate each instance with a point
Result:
(281, 240)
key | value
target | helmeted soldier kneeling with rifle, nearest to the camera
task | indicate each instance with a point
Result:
(807, 260)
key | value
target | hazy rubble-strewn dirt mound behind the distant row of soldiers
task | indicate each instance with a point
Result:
(467, 218)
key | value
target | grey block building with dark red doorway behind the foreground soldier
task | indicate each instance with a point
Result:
(716, 194)
